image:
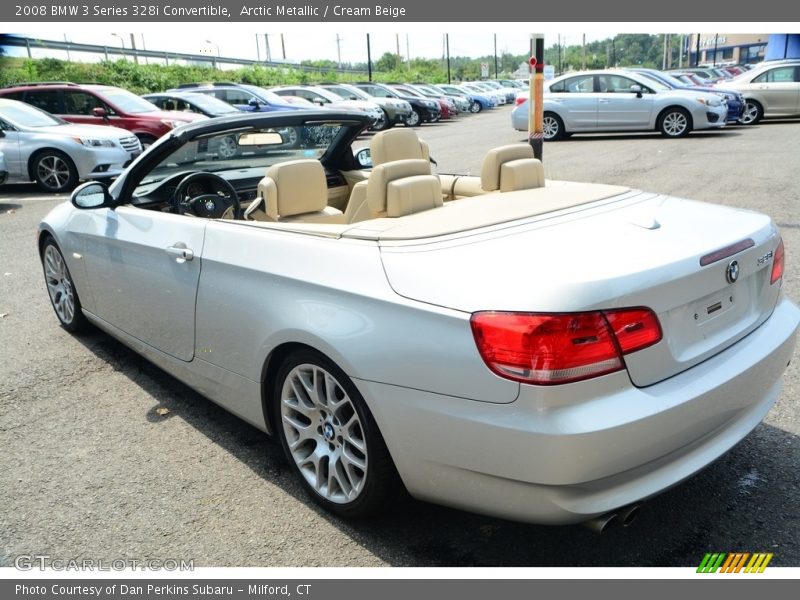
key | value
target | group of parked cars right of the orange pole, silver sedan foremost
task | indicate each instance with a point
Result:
(639, 99)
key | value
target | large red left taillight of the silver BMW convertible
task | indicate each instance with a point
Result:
(548, 349)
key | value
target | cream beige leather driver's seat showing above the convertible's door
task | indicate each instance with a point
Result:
(295, 190)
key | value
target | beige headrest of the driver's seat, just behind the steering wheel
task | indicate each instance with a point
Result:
(294, 188)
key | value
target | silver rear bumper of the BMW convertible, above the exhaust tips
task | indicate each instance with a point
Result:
(565, 454)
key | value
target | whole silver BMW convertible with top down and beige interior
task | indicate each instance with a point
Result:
(538, 350)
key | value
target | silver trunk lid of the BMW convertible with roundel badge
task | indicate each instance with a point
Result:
(640, 251)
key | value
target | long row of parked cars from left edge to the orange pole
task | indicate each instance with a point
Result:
(57, 133)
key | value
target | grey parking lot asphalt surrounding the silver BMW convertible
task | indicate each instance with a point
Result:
(93, 467)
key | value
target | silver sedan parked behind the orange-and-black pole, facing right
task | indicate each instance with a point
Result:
(621, 101)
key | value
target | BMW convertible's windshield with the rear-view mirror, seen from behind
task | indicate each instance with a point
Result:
(256, 149)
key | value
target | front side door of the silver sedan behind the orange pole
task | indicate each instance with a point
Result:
(620, 108)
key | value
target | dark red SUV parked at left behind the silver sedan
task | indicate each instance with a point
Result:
(100, 105)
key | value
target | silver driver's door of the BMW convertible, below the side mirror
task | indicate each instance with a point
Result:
(144, 269)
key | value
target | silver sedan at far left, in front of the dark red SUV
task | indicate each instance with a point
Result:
(55, 154)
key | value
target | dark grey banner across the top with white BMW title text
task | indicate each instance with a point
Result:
(400, 11)
